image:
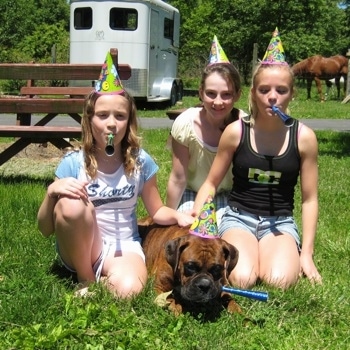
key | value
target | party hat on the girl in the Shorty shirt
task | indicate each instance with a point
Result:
(109, 81)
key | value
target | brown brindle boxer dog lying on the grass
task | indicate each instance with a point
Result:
(190, 268)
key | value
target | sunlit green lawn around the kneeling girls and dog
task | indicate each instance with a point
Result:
(38, 311)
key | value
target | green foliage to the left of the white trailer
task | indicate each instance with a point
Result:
(27, 24)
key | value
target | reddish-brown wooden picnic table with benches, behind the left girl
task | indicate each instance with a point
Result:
(48, 101)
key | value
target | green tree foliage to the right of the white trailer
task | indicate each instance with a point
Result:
(307, 28)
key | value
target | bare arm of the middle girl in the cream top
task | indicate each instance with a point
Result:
(178, 176)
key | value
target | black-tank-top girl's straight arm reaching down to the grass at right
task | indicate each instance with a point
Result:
(308, 149)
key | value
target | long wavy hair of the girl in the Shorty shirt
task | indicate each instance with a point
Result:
(130, 144)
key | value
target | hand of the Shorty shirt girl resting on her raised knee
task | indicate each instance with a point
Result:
(68, 187)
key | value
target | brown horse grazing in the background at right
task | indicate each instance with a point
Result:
(321, 68)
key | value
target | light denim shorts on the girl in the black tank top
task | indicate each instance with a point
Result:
(259, 226)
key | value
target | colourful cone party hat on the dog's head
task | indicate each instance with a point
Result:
(205, 225)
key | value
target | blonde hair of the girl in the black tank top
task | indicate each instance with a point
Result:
(253, 110)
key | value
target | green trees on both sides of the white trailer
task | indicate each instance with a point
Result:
(29, 28)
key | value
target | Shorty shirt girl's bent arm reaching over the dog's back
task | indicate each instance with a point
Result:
(160, 213)
